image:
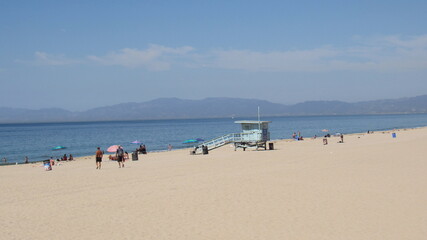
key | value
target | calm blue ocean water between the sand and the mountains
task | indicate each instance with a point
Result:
(81, 139)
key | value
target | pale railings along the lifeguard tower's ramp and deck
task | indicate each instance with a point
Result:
(231, 138)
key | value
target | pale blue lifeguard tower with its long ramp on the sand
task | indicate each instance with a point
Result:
(254, 134)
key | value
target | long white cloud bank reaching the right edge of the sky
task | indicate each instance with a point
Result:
(389, 53)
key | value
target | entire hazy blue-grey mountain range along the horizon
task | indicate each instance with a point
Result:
(174, 108)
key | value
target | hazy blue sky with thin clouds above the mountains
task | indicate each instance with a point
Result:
(83, 54)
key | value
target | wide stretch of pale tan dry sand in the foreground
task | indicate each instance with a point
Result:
(370, 187)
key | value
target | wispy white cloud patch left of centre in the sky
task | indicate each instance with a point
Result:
(155, 58)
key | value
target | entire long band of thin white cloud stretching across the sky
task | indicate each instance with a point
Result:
(387, 53)
